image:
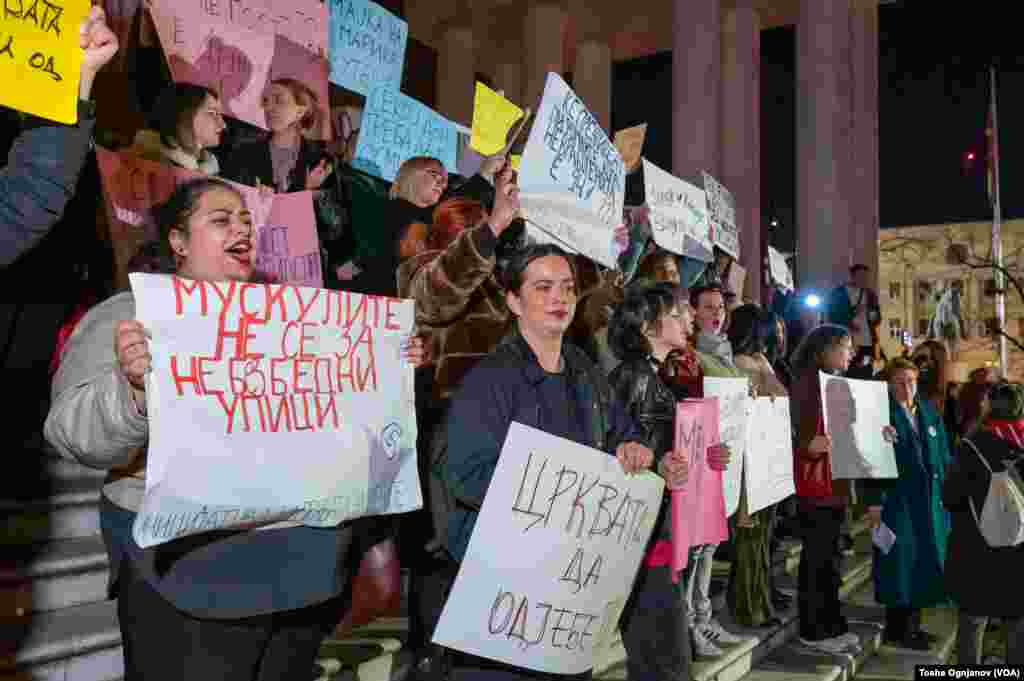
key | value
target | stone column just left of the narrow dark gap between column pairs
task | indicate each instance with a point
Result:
(741, 135)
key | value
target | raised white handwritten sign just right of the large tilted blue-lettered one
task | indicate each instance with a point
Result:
(678, 210)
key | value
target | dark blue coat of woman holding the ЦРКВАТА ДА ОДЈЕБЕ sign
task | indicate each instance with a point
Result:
(505, 388)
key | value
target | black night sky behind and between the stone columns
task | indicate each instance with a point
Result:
(933, 92)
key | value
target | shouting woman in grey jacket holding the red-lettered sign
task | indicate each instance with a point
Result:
(222, 605)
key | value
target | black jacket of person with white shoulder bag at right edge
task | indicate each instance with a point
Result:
(982, 580)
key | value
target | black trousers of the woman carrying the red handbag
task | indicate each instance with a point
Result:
(819, 579)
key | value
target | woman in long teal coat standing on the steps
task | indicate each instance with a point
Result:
(910, 576)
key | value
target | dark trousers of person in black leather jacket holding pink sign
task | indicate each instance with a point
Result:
(655, 630)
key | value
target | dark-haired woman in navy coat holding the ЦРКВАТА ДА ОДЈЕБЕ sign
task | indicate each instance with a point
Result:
(536, 379)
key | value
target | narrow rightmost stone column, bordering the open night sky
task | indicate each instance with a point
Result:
(865, 107)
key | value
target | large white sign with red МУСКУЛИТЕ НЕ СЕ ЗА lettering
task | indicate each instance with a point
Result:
(272, 404)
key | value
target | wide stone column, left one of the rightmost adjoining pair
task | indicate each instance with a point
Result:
(824, 222)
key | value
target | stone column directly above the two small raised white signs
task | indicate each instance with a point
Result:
(696, 78)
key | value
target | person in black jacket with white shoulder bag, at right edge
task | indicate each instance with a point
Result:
(984, 580)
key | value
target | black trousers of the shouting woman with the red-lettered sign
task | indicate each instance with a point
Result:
(164, 644)
